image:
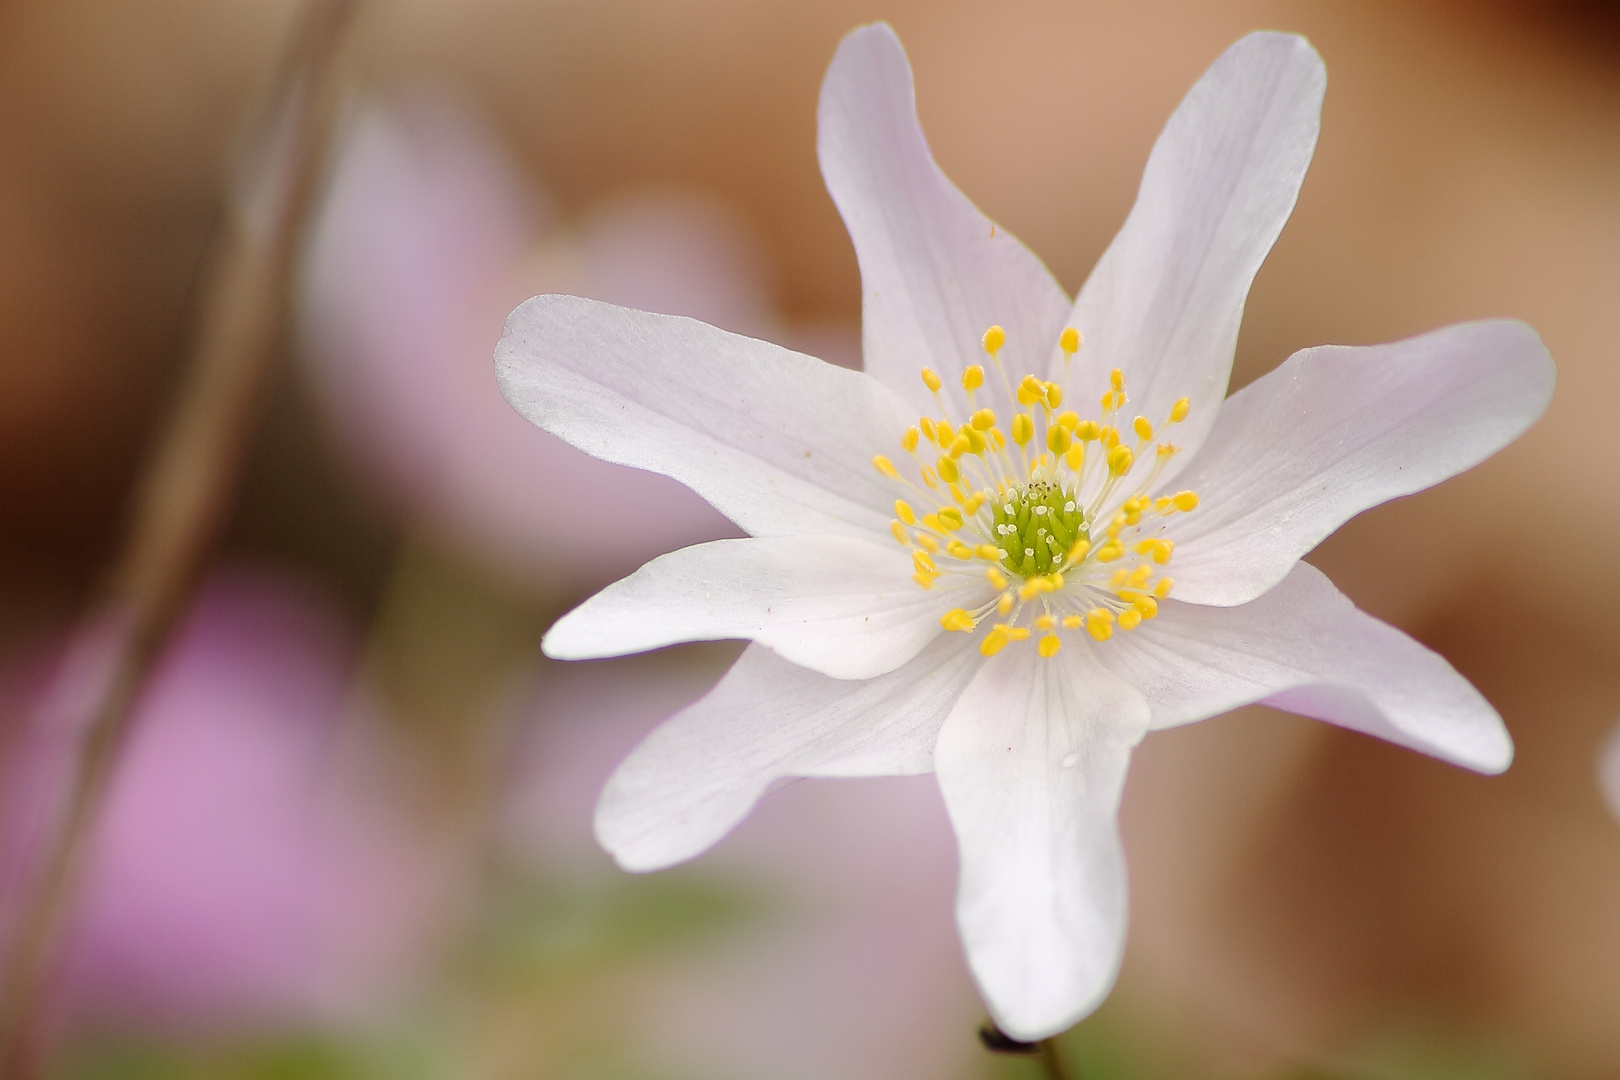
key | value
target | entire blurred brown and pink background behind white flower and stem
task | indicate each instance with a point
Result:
(349, 835)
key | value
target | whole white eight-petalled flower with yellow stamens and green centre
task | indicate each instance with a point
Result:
(1021, 639)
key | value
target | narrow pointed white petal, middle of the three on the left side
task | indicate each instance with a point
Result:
(843, 606)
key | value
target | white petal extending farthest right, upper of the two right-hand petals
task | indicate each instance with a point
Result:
(1337, 430)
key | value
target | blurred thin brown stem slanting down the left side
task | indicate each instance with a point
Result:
(187, 485)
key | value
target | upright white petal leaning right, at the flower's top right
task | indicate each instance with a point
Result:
(1166, 300)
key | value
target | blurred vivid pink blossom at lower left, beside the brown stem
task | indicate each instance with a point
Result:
(247, 870)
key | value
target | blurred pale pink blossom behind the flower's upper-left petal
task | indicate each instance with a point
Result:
(427, 240)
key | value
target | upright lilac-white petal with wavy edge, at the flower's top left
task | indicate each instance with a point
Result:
(936, 273)
